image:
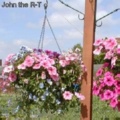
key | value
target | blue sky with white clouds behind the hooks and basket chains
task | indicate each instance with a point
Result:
(22, 26)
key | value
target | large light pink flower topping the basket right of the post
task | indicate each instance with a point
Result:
(110, 43)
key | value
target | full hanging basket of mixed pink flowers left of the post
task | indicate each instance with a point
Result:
(46, 78)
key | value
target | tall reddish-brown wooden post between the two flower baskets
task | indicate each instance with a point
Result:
(89, 36)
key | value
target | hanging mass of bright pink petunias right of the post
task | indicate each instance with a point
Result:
(107, 79)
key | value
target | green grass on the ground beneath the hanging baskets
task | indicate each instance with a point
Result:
(8, 107)
